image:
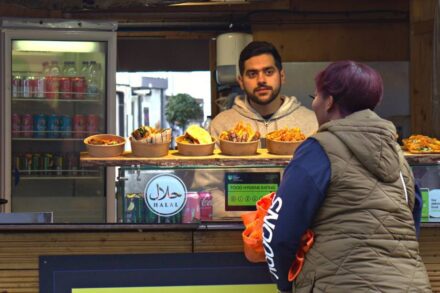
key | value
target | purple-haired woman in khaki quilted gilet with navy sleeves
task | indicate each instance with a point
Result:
(352, 186)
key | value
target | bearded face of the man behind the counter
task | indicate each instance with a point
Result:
(261, 79)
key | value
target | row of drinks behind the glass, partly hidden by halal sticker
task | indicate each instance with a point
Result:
(198, 208)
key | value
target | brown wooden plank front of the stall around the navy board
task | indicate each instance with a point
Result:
(23, 245)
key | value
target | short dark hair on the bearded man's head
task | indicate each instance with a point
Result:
(257, 48)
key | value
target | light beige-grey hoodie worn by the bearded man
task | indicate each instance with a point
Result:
(290, 114)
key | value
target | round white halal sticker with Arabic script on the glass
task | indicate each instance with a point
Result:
(165, 195)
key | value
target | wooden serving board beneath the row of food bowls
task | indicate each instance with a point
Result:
(174, 159)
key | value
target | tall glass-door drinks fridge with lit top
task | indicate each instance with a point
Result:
(58, 87)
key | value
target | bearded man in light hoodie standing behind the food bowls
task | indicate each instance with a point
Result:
(261, 77)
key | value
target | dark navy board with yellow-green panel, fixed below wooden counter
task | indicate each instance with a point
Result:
(174, 272)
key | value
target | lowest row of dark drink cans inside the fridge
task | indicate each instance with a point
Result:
(54, 164)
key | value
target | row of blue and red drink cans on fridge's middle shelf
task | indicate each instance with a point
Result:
(54, 126)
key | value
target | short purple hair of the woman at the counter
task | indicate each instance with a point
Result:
(354, 86)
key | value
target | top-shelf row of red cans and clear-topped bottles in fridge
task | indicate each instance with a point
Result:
(56, 83)
